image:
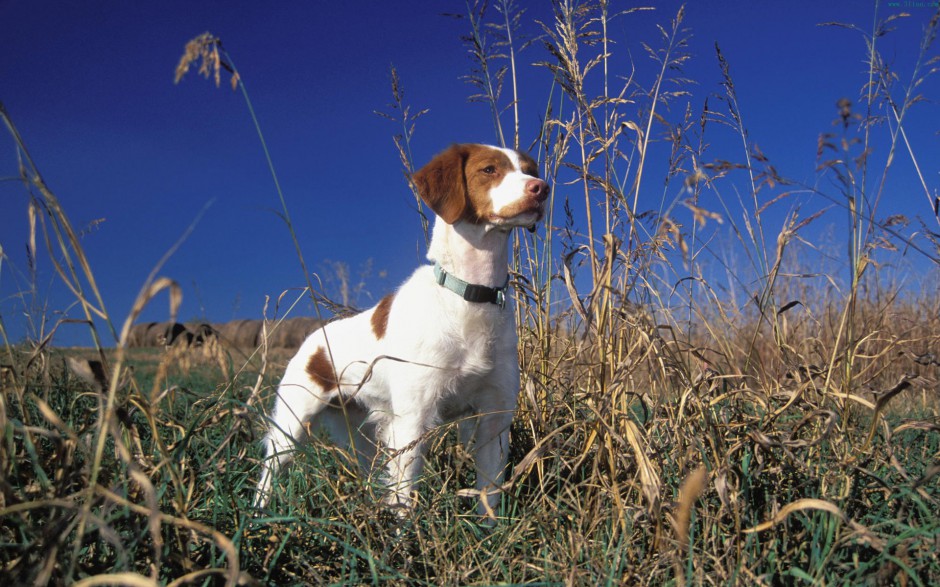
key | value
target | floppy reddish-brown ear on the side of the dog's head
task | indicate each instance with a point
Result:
(442, 183)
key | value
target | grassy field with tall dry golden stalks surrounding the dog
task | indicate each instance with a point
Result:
(757, 424)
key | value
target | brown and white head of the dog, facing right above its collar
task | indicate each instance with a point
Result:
(481, 184)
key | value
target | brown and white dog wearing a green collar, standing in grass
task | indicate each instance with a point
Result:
(441, 348)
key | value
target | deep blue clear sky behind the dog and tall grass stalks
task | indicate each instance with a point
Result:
(135, 159)
